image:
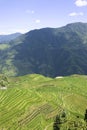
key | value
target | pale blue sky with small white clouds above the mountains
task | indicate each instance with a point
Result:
(25, 15)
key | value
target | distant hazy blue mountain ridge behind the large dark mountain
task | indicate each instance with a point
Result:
(6, 38)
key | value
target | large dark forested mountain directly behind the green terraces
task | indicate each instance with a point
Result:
(48, 51)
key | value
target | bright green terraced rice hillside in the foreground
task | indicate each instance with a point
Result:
(35, 102)
